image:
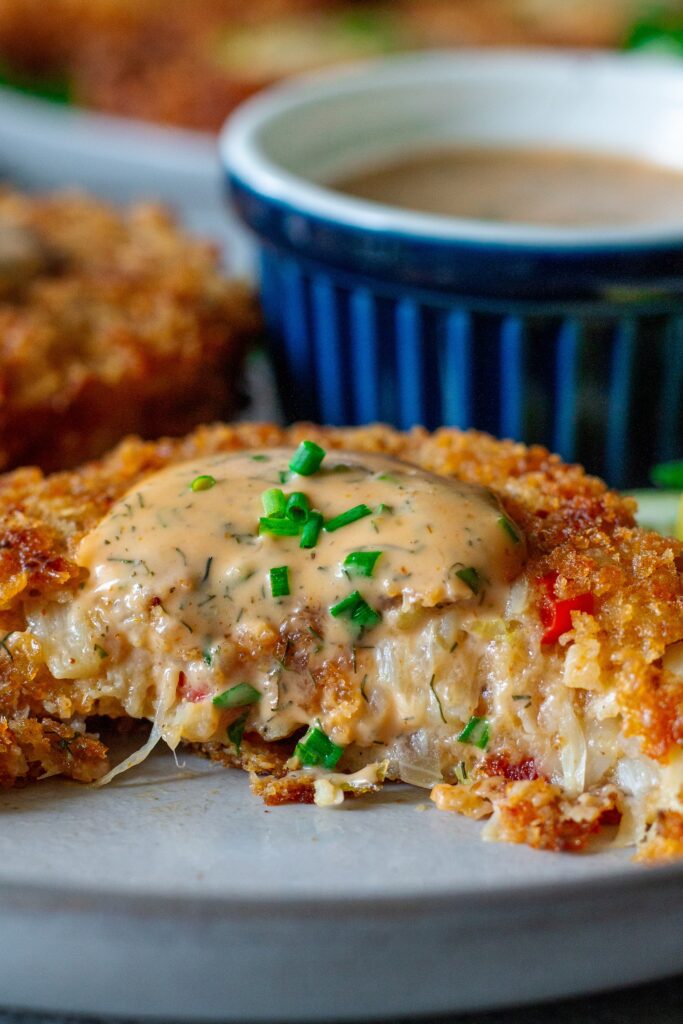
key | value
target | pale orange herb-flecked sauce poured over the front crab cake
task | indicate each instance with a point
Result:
(179, 605)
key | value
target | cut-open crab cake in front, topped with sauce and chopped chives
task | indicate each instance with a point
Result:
(332, 610)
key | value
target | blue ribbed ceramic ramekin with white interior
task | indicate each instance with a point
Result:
(570, 337)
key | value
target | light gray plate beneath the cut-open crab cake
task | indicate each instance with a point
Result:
(176, 893)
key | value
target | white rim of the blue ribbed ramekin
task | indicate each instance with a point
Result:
(244, 159)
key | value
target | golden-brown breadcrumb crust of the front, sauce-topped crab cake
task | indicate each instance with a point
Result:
(575, 527)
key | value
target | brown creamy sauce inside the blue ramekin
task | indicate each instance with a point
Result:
(533, 187)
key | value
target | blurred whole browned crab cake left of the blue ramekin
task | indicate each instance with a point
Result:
(111, 323)
